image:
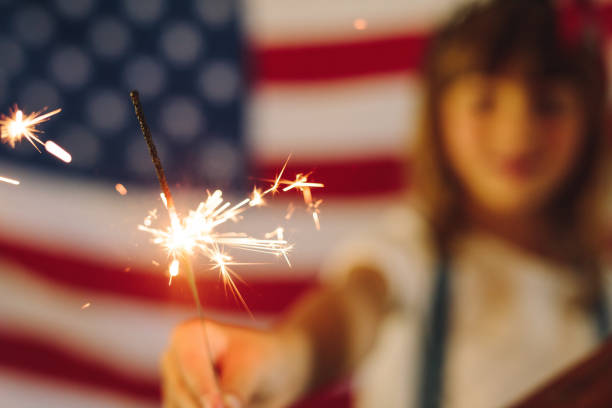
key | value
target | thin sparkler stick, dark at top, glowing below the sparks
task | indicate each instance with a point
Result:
(174, 221)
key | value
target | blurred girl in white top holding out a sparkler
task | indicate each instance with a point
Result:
(489, 280)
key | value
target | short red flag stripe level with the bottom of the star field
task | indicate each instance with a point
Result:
(354, 178)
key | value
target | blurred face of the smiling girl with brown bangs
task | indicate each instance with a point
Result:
(510, 144)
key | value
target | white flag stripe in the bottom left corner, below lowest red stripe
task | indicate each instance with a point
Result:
(23, 391)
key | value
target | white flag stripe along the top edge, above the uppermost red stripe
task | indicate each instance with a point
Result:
(273, 22)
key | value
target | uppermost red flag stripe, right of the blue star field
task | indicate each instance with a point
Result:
(339, 60)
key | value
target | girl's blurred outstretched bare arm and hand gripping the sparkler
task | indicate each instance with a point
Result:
(323, 337)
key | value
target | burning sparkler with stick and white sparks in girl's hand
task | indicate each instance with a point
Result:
(196, 233)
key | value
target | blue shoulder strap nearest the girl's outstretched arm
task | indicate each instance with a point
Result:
(435, 339)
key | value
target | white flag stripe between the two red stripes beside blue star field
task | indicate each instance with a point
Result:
(359, 118)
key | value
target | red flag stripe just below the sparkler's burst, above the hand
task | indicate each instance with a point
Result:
(262, 295)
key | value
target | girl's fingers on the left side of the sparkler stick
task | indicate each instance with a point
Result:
(190, 349)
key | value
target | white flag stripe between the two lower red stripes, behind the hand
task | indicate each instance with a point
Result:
(123, 334)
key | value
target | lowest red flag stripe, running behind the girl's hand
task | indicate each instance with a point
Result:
(35, 357)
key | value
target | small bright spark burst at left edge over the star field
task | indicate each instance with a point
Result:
(17, 126)
